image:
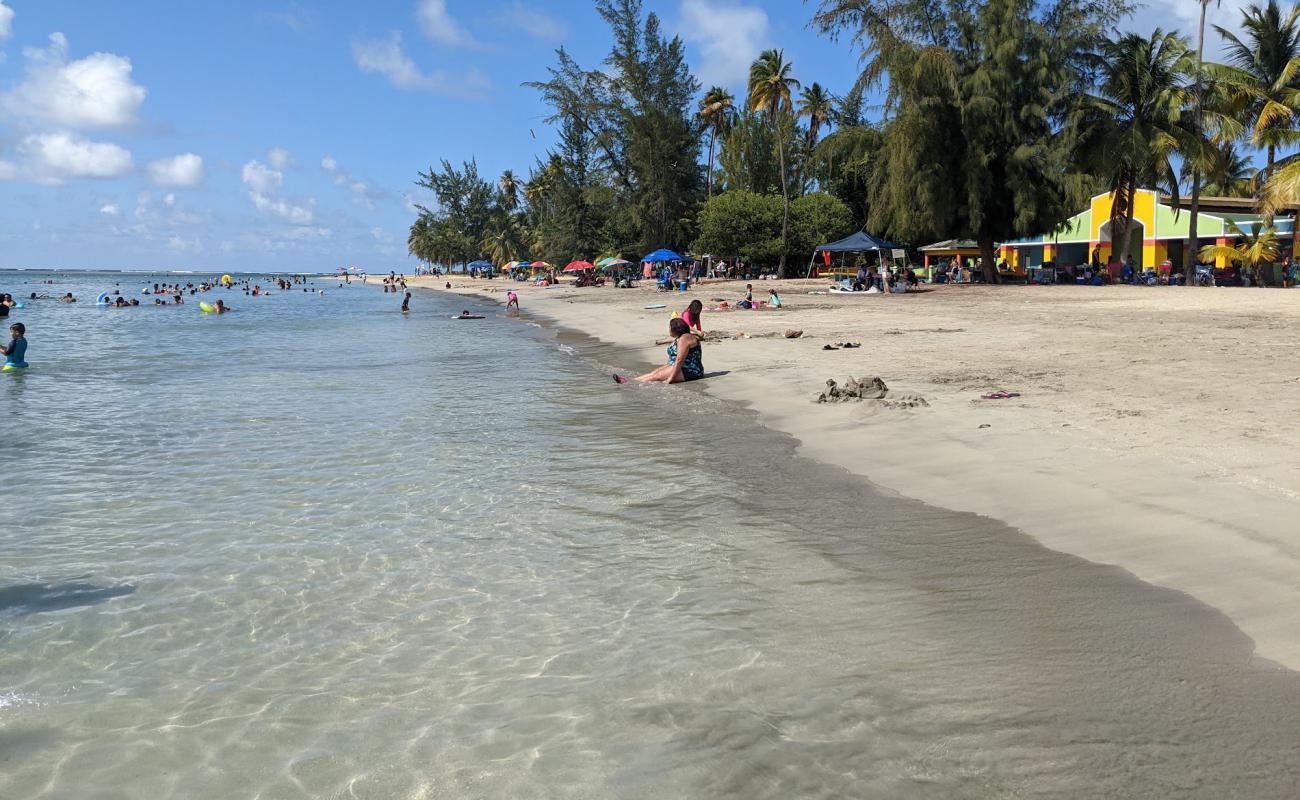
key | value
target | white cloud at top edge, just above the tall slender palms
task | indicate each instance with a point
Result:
(726, 37)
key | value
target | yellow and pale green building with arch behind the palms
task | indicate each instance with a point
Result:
(1160, 232)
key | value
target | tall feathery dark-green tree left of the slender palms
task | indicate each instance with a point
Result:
(629, 161)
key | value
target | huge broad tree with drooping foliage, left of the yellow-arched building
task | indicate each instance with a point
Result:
(978, 96)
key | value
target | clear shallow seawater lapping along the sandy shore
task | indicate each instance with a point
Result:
(318, 550)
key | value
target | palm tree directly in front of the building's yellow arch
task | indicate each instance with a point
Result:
(1133, 127)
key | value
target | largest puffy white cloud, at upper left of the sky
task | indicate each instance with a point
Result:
(96, 92)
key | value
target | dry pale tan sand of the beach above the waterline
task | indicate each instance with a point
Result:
(1158, 430)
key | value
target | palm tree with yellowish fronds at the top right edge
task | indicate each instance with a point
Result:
(1264, 70)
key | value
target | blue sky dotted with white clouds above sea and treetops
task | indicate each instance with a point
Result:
(287, 136)
